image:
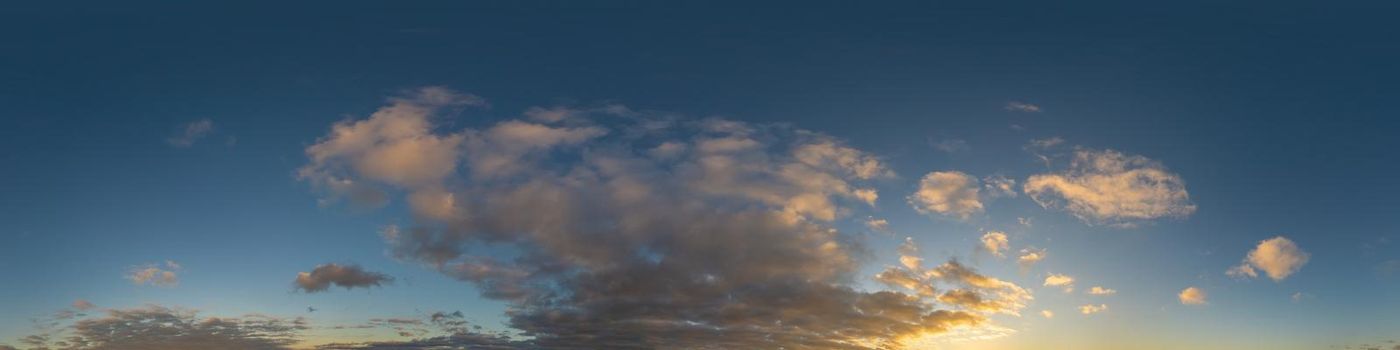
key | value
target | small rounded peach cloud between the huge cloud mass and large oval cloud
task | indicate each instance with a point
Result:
(947, 192)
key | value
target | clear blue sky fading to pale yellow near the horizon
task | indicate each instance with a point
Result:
(1277, 117)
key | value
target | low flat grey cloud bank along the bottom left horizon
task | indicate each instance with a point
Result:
(162, 328)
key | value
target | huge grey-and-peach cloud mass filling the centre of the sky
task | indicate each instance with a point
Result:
(610, 229)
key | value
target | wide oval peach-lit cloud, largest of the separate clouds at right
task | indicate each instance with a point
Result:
(1112, 188)
